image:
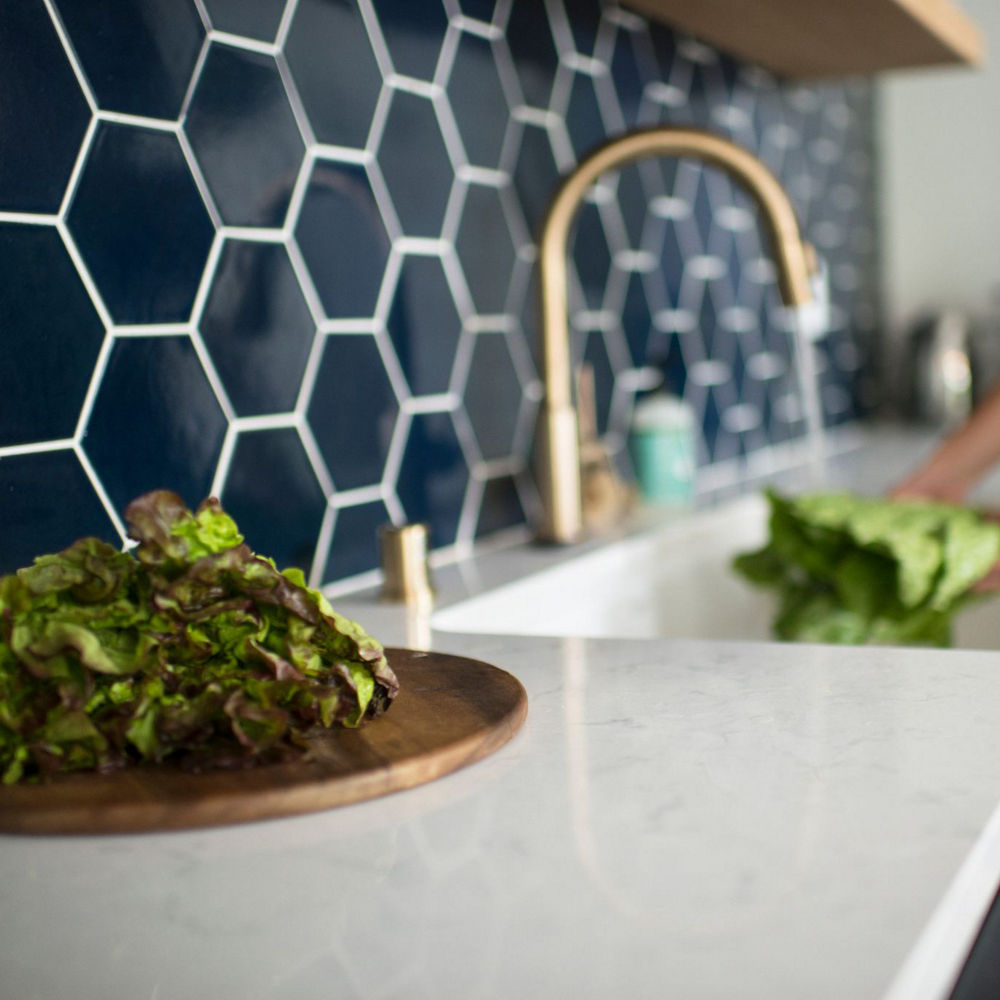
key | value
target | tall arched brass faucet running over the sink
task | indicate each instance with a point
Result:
(558, 444)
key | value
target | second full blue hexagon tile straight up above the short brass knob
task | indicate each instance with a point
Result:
(424, 325)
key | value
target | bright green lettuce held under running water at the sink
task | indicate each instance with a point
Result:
(855, 570)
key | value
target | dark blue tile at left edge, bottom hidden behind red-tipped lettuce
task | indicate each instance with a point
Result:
(48, 503)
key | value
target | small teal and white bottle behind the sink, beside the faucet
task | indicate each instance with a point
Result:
(662, 446)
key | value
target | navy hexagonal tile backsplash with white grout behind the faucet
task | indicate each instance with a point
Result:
(283, 252)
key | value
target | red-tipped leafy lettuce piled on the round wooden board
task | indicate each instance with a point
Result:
(188, 647)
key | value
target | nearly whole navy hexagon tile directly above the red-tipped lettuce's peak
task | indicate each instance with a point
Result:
(156, 423)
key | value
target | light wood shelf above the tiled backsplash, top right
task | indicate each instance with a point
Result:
(823, 38)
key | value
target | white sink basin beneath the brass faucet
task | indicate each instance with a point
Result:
(674, 582)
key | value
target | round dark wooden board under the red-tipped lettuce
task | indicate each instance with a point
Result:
(450, 711)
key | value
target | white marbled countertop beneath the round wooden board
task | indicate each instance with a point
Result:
(677, 819)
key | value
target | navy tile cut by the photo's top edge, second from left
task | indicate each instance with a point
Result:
(138, 55)
